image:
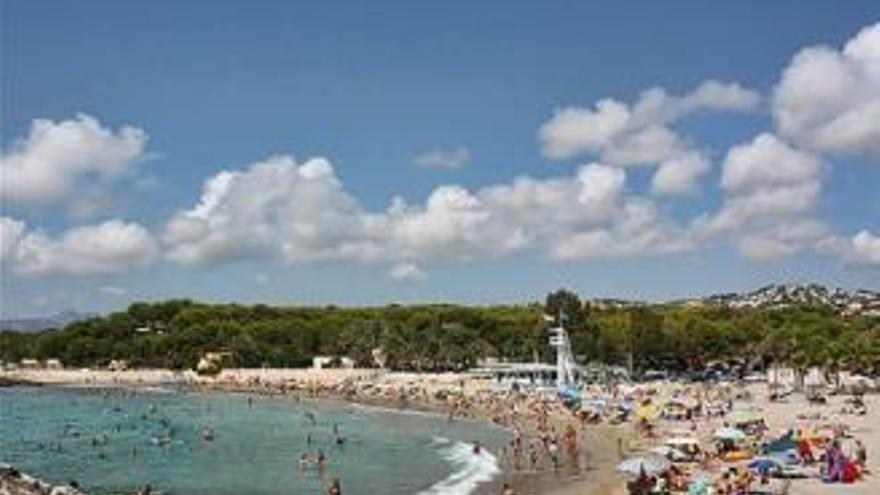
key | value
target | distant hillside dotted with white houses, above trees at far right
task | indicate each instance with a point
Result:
(778, 296)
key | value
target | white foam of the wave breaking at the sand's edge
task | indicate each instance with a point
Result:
(470, 469)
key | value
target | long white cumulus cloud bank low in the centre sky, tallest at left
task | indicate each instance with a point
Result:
(301, 213)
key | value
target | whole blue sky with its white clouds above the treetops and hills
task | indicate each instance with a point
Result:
(322, 112)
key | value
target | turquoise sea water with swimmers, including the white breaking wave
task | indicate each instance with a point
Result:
(112, 441)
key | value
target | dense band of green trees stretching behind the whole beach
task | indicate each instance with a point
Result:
(176, 333)
